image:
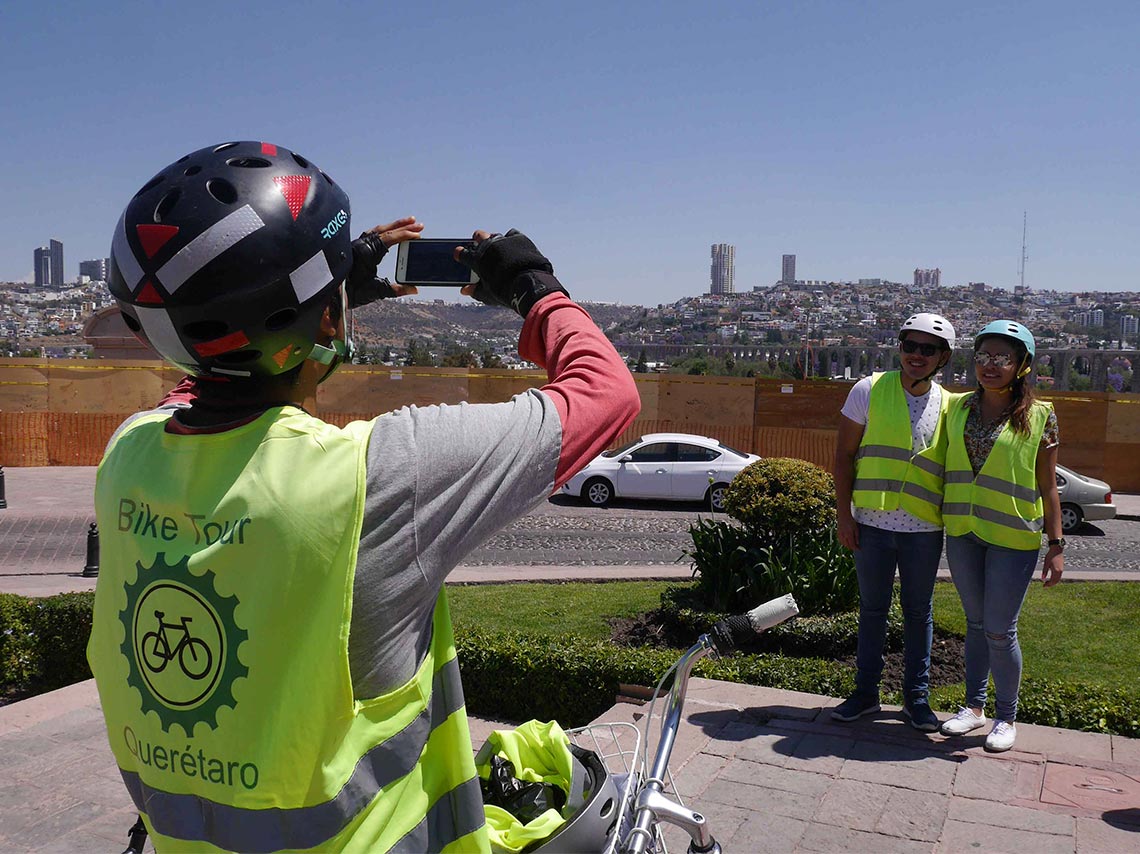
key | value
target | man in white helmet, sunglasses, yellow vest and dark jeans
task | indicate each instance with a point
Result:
(889, 490)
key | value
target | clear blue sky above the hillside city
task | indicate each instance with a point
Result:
(624, 137)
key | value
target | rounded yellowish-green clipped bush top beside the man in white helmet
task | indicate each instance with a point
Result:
(778, 497)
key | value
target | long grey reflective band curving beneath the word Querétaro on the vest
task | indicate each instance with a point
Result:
(197, 819)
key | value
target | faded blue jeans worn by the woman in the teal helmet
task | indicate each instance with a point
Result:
(992, 583)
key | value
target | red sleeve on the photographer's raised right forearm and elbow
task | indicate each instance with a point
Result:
(590, 384)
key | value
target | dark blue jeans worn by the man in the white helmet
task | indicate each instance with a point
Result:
(916, 555)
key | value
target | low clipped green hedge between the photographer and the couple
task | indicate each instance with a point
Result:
(520, 677)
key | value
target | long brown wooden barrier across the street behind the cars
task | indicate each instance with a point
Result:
(62, 412)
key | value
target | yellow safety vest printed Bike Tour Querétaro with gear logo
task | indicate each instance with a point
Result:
(221, 652)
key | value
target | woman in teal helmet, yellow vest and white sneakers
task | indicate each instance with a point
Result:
(1001, 494)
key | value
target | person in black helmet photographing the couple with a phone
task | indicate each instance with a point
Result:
(272, 641)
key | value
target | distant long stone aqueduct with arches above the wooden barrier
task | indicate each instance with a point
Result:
(828, 362)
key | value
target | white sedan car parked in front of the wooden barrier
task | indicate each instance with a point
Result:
(663, 467)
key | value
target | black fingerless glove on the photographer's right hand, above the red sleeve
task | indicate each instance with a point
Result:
(512, 272)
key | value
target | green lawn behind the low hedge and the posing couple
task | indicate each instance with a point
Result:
(1077, 632)
